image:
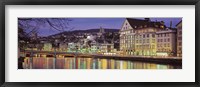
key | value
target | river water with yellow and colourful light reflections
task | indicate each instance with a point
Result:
(91, 63)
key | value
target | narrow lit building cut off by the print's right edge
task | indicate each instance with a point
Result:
(179, 38)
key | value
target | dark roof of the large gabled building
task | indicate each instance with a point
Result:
(139, 22)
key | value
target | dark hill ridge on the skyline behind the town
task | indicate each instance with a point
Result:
(86, 31)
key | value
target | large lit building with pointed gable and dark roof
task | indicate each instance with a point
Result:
(138, 37)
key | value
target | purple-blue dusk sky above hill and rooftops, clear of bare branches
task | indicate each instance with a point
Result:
(94, 23)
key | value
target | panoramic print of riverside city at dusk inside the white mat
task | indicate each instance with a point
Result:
(143, 43)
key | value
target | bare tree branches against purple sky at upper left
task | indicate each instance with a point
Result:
(30, 26)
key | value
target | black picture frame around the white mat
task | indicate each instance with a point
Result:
(97, 2)
